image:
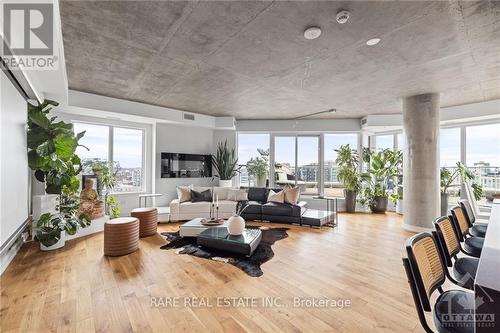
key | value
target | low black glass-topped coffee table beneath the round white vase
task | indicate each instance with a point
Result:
(219, 238)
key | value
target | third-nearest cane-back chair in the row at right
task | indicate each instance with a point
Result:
(471, 245)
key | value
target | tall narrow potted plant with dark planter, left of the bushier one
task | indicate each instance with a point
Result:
(348, 163)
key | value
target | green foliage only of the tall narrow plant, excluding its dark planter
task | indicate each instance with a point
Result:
(348, 162)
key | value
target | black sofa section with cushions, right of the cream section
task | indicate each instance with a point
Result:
(259, 209)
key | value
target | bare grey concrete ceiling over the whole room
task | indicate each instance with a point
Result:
(250, 59)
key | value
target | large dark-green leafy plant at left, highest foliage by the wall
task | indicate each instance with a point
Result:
(51, 149)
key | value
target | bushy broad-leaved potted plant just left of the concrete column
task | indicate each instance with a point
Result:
(383, 167)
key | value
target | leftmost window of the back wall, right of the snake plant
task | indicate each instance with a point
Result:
(255, 148)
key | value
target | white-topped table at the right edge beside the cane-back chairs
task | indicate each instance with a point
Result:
(487, 282)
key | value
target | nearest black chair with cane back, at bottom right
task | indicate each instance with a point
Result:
(426, 274)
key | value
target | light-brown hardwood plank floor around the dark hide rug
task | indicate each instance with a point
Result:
(77, 289)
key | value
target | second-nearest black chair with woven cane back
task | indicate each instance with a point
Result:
(464, 268)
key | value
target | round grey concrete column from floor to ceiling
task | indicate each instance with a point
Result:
(421, 161)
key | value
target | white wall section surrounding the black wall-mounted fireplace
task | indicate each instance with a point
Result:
(180, 139)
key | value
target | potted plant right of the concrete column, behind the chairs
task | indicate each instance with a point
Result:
(447, 180)
